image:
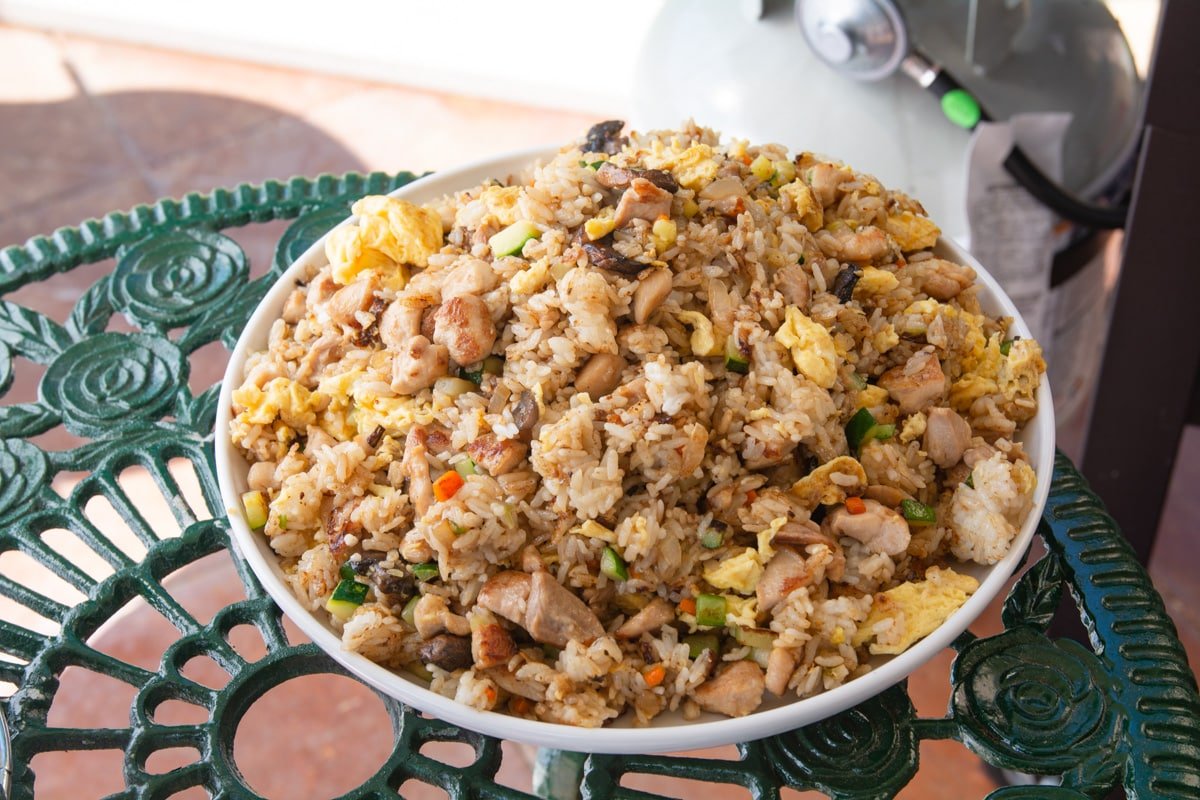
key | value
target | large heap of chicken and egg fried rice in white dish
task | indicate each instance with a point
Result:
(658, 424)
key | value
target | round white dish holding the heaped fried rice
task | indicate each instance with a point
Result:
(668, 732)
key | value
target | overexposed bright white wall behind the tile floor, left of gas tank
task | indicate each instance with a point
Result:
(563, 55)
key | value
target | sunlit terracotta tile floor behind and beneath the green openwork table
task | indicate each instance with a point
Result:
(91, 127)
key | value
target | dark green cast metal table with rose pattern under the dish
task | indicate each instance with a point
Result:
(1125, 712)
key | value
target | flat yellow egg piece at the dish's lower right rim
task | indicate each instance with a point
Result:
(916, 610)
